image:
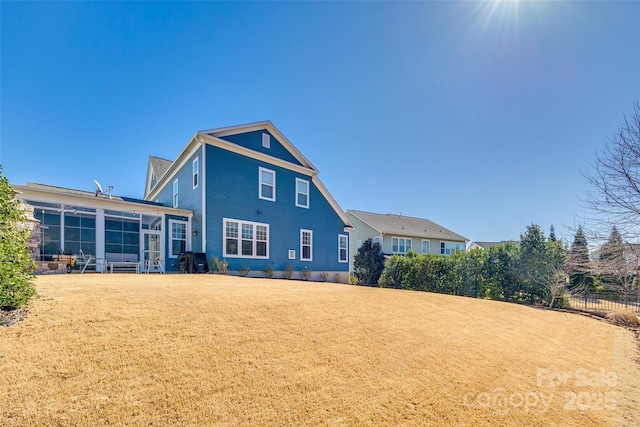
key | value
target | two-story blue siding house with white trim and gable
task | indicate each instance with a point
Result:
(256, 202)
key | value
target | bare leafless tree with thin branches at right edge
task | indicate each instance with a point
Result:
(615, 177)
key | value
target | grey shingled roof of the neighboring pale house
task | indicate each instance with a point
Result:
(406, 226)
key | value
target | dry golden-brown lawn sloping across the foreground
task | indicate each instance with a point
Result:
(216, 350)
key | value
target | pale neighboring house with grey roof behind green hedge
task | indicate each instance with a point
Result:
(397, 234)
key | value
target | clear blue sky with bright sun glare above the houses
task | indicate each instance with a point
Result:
(477, 115)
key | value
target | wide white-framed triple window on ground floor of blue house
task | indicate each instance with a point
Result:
(245, 239)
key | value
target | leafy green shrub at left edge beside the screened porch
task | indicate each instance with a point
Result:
(16, 265)
